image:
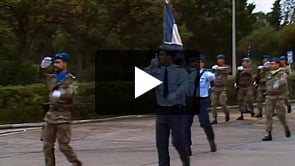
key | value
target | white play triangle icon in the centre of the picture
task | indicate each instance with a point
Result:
(144, 82)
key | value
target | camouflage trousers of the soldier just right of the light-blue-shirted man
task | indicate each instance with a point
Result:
(219, 97)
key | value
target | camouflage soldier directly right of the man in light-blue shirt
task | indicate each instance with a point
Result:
(218, 90)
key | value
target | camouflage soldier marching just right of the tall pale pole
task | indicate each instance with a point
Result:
(244, 86)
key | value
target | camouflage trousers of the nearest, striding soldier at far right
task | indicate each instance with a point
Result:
(280, 107)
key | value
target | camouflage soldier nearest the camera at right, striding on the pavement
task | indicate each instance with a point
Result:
(276, 85)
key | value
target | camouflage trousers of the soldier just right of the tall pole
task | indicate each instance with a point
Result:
(245, 98)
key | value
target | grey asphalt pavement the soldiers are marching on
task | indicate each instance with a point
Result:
(131, 142)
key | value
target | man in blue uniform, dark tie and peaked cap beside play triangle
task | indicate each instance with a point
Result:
(171, 98)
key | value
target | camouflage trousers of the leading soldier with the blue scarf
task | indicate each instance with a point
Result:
(61, 132)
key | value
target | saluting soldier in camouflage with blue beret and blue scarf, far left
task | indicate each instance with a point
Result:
(62, 87)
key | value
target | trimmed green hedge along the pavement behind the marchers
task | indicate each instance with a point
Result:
(19, 104)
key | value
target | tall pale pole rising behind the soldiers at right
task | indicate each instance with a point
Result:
(233, 38)
